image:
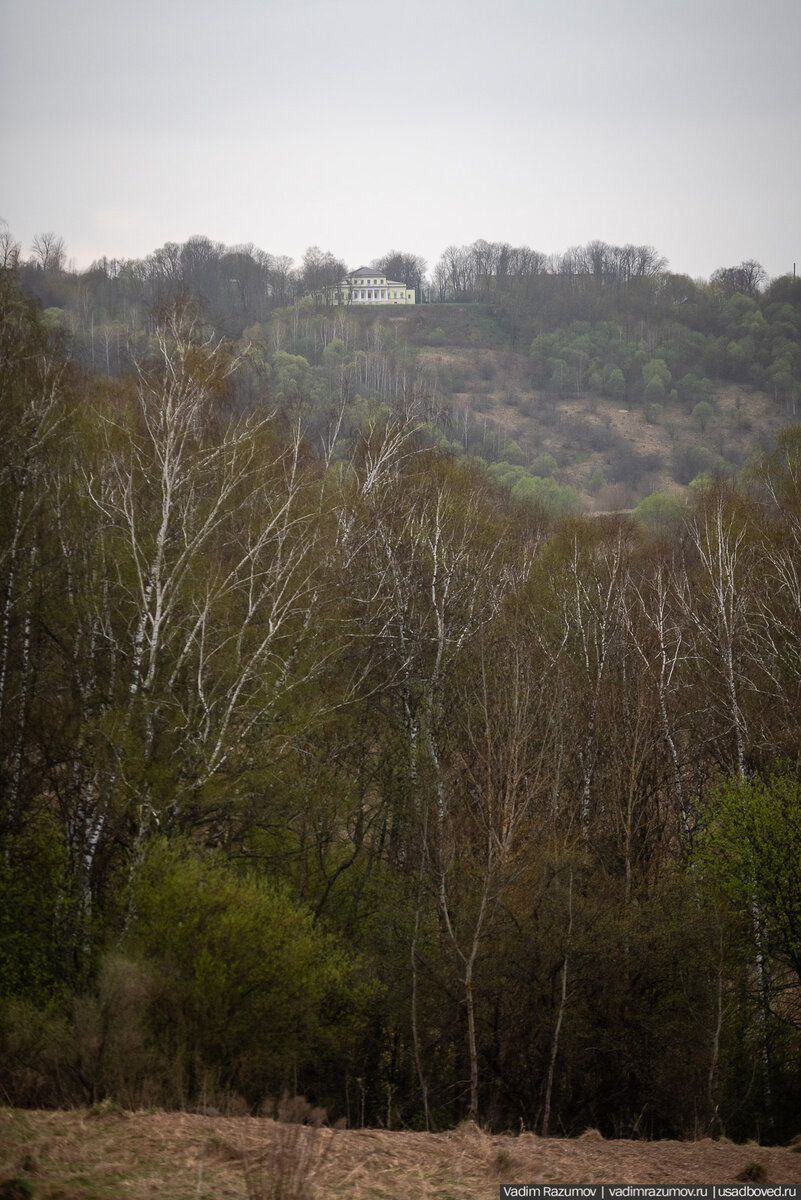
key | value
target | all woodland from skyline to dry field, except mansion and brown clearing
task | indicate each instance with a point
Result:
(341, 753)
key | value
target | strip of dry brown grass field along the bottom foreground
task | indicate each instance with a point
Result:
(104, 1154)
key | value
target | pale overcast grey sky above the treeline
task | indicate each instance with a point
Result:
(370, 125)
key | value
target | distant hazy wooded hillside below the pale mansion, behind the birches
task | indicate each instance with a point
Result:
(591, 380)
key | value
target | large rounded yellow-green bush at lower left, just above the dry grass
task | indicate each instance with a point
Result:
(244, 985)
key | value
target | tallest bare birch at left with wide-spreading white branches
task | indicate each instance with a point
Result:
(201, 598)
